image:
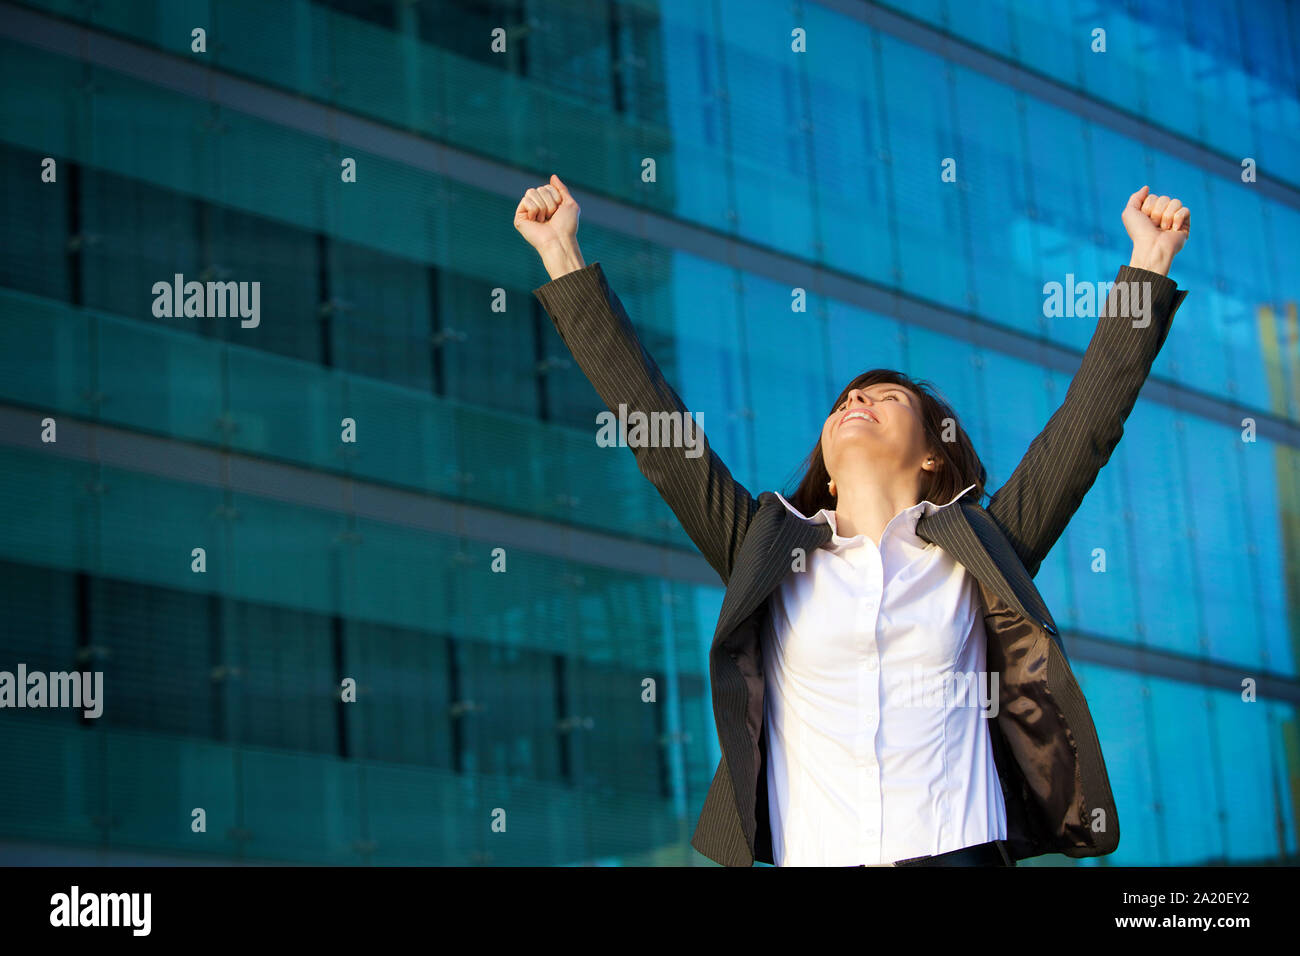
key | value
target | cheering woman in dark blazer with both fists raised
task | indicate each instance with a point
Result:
(882, 578)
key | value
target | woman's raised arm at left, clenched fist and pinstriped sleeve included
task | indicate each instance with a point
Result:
(713, 508)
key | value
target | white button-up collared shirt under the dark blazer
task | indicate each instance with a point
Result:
(877, 703)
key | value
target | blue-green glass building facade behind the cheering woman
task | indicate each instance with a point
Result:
(499, 589)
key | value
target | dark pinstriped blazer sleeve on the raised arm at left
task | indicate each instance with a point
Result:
(713, 508)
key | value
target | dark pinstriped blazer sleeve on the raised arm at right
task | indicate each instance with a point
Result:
(1063, 462)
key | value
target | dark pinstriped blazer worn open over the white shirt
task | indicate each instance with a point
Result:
(1045, 745)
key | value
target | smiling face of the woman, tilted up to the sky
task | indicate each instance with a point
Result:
(882, 421)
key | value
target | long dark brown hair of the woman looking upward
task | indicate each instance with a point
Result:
(960, 466)
